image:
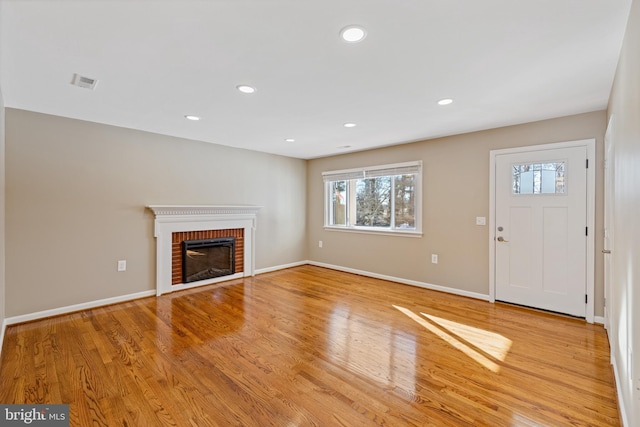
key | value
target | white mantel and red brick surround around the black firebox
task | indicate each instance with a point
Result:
(175, 223)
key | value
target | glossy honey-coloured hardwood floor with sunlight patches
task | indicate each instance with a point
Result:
(311, 346)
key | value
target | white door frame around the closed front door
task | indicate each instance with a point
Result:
(590, 145)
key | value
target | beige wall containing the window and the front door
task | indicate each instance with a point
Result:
(456, 190)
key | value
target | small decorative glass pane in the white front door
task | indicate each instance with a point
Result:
(539, 178)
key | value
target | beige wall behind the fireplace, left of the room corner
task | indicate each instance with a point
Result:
(76, 196)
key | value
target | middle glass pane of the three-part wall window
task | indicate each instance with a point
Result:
(373, 202)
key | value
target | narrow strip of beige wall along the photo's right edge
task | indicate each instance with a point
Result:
(624, 109)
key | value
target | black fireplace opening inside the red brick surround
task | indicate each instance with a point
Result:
(208, 258)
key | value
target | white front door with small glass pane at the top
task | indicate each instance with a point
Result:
(540, 229)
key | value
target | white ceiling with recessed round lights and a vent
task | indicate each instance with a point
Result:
(502, 61)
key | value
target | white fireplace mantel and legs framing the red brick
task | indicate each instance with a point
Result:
(177, 218)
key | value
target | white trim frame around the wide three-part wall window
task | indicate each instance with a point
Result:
(356, 173)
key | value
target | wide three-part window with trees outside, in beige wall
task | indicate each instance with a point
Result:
(380, 198)
